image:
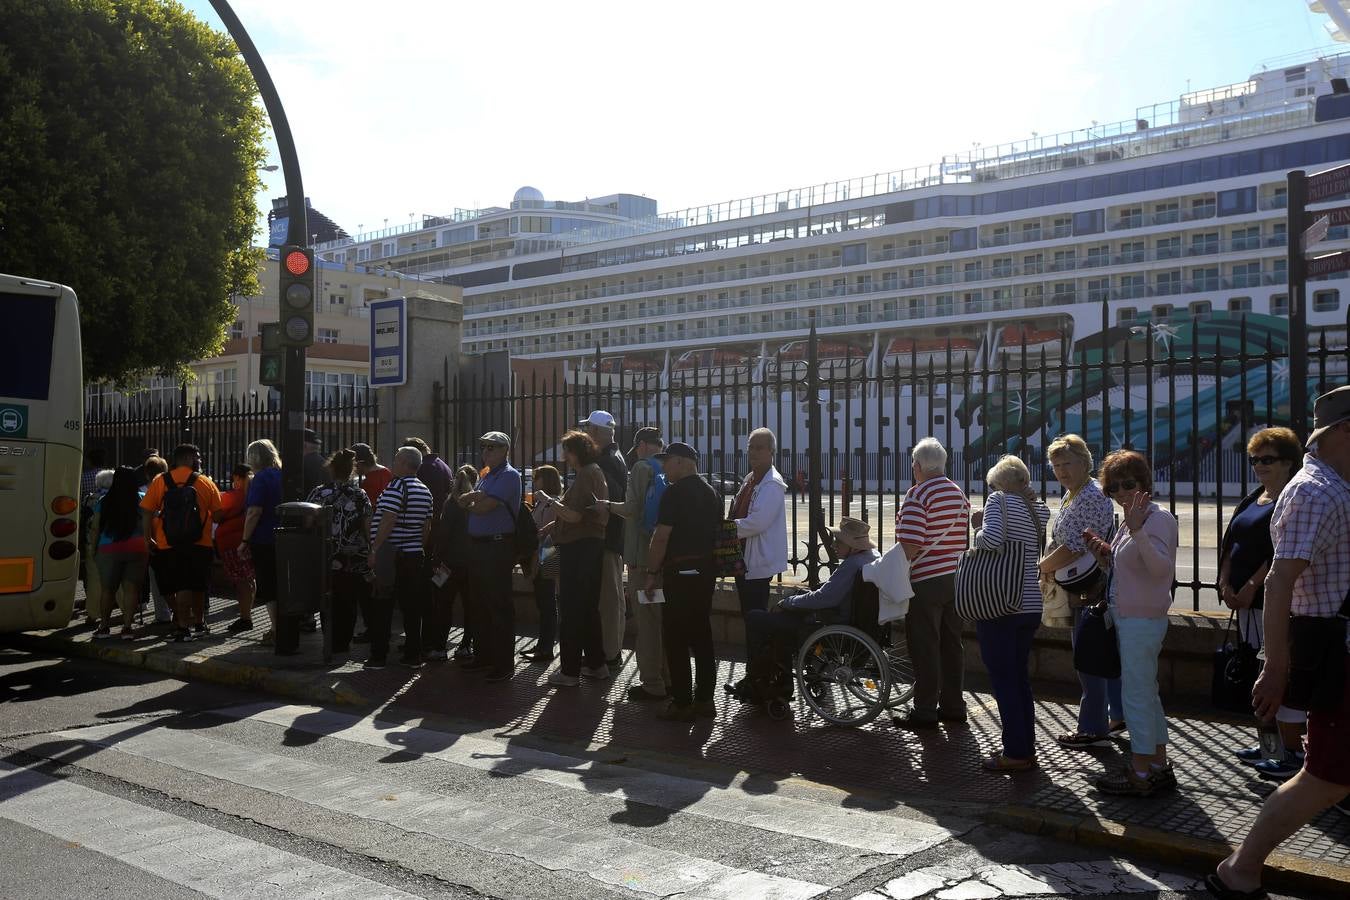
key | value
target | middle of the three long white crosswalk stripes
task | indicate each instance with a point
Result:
(562, 848)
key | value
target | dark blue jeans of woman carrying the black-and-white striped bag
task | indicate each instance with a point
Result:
(1006, 647)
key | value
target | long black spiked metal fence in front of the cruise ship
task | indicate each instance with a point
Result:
(1185, 393)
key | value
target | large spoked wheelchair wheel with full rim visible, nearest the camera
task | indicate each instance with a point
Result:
(844, 675)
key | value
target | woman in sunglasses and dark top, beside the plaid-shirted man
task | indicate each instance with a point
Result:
(1245, 558)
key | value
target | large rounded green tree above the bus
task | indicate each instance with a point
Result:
(130, 141)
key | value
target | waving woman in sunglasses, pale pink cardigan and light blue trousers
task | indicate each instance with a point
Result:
(1141, 559)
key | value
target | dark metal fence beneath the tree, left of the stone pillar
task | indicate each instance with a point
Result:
(130, 427)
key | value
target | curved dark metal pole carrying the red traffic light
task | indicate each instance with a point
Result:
(294, 391)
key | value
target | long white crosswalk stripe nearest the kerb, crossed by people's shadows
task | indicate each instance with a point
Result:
(855, 829)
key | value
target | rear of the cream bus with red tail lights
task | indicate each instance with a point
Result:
(41, 454)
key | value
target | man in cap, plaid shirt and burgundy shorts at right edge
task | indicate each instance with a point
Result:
(1310, 577)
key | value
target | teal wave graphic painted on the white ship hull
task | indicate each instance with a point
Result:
(1217, 365)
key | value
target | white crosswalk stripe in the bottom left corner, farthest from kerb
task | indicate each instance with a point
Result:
(214, 863)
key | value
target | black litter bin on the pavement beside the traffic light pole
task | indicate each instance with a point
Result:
(302, 569)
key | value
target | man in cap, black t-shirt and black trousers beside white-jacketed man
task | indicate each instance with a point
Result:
(682, 555)
